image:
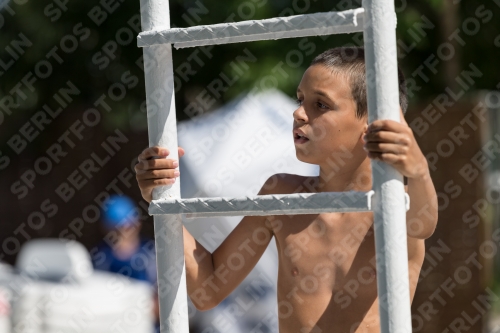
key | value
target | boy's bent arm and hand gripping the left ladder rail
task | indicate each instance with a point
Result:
(211, 277)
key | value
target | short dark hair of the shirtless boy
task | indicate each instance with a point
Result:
(350, 61)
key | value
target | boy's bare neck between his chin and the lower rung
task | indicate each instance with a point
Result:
(349, 177)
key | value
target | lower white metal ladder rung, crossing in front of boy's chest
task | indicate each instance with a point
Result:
(277, 204)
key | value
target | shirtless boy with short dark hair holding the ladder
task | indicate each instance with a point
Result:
(327, 271)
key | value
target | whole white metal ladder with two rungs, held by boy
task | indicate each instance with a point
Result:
(387, 199)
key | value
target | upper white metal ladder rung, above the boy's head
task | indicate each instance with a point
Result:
(317, 24)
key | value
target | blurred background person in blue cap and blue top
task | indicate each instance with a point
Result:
(123, 250)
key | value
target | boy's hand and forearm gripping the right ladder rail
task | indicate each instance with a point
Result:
(395, 144)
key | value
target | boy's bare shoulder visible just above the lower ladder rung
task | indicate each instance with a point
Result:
(286, 183)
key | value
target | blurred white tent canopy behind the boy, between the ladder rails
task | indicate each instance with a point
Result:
(233, 150)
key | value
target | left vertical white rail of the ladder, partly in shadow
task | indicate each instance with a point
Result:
(162, 129)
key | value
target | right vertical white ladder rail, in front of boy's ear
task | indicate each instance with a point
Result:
(388, 201)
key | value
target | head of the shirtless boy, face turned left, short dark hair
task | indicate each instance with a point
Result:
(331, 117)
